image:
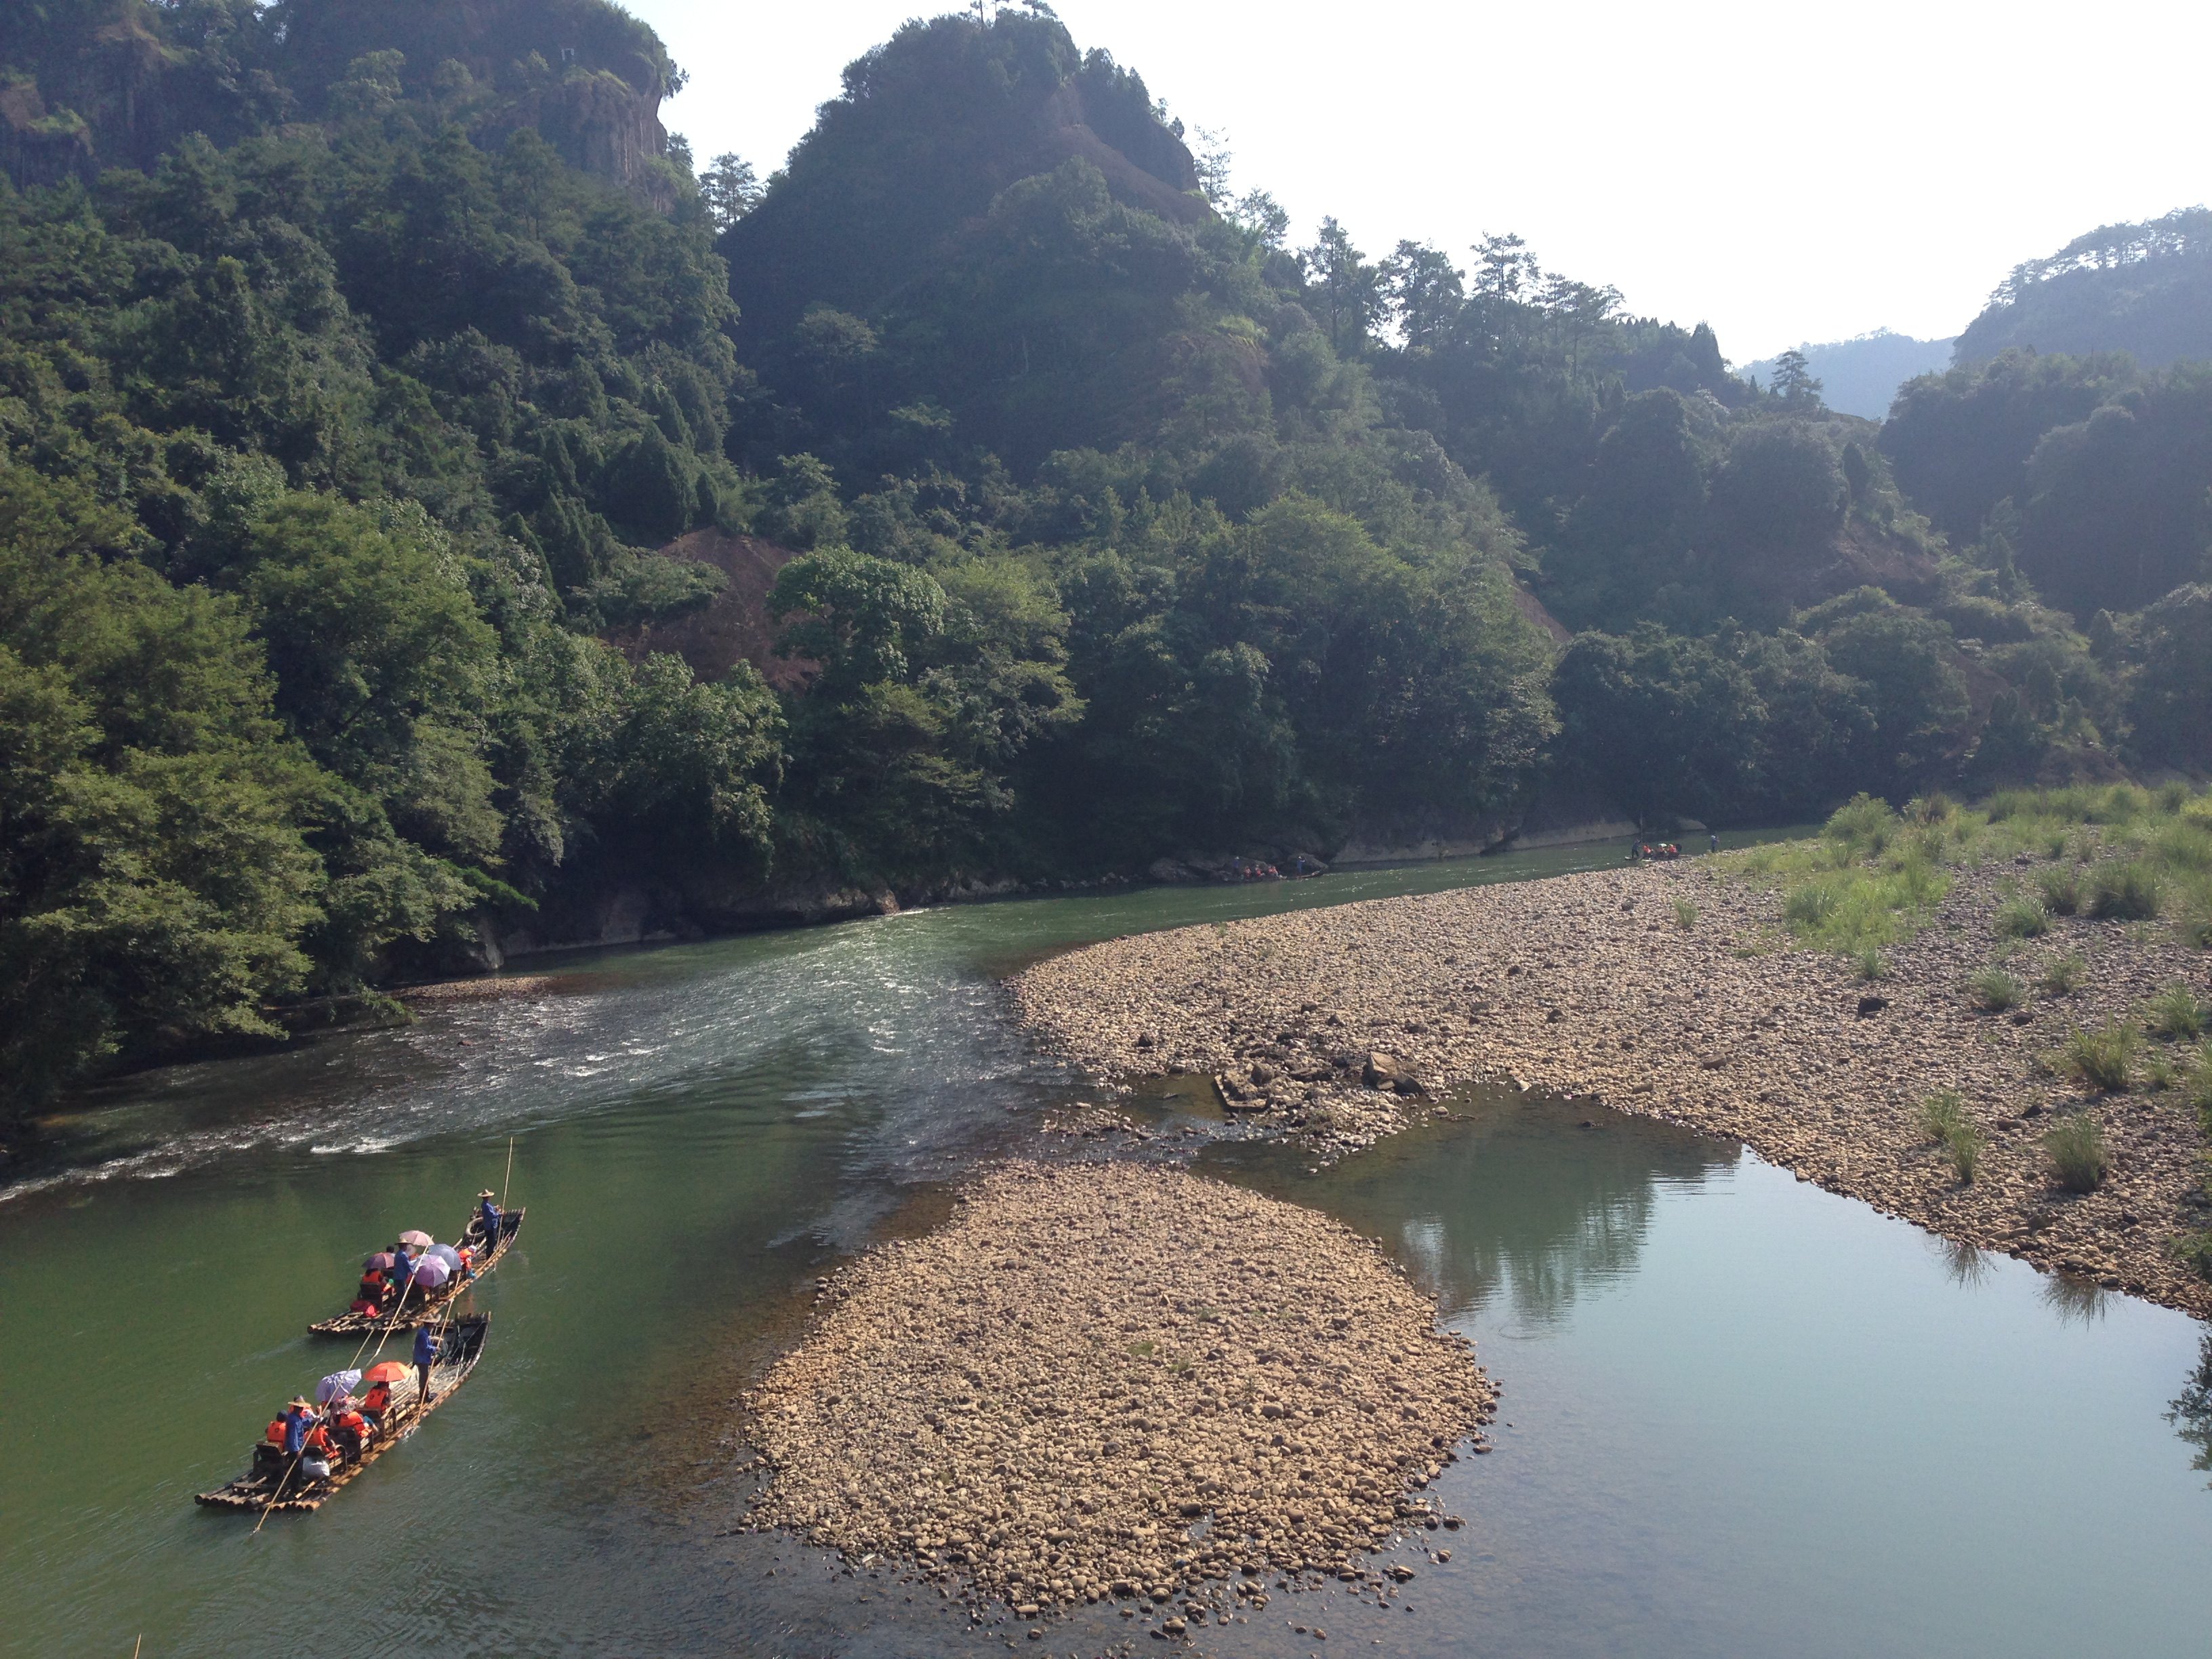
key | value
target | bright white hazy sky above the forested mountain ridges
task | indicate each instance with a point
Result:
(1784, 171)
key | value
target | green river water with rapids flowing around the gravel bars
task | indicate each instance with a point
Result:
(1746, 1417)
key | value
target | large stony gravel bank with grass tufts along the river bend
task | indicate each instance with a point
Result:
(1673, 992)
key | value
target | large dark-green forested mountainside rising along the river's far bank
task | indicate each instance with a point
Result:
(382, 390)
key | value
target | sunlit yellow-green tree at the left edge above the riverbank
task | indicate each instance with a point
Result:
(156, 866)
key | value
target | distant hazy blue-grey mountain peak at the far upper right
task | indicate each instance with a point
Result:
(2120, 289)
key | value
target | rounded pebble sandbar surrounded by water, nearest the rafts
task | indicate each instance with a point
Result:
(1116, 1381)
